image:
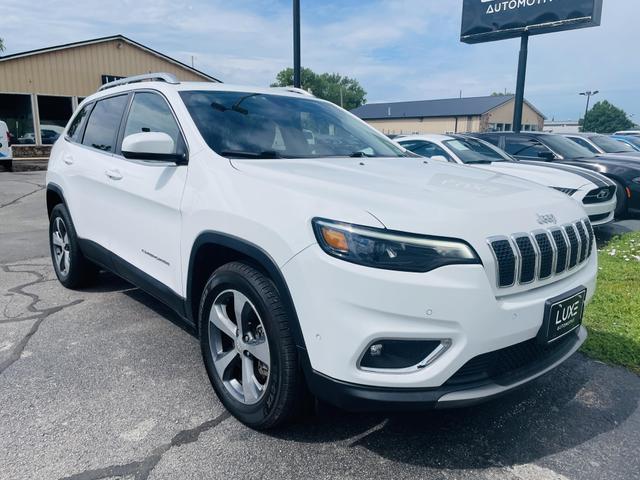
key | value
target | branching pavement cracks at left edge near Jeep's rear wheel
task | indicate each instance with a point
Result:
(38, 315)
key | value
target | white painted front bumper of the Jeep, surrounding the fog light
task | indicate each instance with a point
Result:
(343, 308)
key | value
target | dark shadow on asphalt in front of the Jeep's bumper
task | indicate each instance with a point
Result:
(572, 405)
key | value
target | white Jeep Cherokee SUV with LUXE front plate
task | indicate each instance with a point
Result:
(333, 262)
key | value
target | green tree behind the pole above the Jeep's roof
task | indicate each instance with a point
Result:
(333, 87)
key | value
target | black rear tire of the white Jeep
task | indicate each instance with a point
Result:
(78, 271)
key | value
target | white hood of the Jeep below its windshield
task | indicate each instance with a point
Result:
(413, 194)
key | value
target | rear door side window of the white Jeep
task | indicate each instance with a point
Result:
(103, 123)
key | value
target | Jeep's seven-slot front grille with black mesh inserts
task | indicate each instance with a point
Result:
(522, 258)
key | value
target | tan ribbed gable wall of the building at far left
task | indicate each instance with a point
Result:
(77, 71)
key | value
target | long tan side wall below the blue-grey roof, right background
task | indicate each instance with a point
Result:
(426, 125)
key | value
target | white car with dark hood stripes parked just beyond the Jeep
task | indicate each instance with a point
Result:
(595, 192)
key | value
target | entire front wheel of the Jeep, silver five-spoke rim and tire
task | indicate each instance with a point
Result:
(248, 349)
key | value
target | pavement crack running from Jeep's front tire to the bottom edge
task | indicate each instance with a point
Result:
(141, 469)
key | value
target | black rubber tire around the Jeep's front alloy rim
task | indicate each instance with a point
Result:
(284, 391)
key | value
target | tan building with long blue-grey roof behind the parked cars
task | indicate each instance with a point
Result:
(451, 115)
